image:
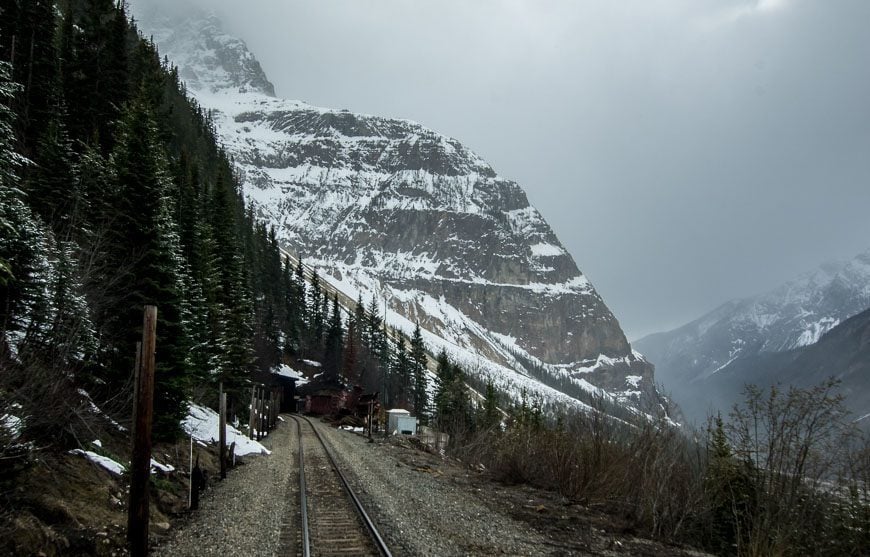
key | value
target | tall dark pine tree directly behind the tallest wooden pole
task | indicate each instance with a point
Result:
(145, 229)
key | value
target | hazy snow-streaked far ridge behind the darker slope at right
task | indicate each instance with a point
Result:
(794, 315)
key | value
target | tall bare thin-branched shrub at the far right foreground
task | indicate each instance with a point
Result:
(795, 448)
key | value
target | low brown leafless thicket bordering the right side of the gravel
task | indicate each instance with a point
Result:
(649, 474)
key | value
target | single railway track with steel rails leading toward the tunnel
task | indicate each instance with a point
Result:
(332, 518)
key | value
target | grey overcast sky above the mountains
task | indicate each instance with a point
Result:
(686, 152)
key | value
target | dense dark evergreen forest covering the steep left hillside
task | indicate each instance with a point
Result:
(128, 201)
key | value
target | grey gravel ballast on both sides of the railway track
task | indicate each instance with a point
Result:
(422, 504)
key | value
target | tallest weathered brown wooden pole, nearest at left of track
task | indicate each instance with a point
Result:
(143, 411)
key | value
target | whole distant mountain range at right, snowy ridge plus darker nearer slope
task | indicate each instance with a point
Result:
(801, 333)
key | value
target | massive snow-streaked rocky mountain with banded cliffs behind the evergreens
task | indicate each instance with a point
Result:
(388, 208)
